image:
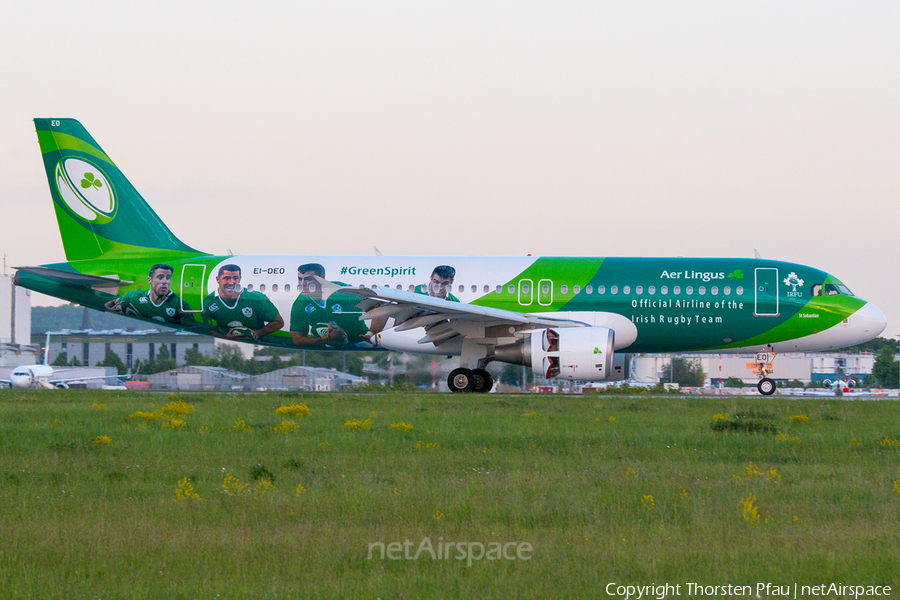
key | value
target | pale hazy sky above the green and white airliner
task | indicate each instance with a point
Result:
(574, 128)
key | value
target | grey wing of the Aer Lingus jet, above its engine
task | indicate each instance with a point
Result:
(443, 319)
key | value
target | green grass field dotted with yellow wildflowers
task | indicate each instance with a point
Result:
(632, 490)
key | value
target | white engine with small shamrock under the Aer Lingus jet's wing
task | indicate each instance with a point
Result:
(576, 353)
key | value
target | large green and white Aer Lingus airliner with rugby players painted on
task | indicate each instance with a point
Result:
(571, 318)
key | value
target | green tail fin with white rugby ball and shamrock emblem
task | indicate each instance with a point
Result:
(98, 210)
